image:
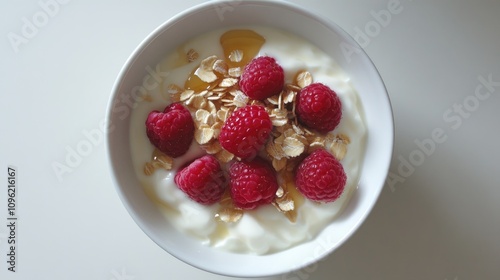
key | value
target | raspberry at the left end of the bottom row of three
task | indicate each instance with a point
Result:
(202, 180)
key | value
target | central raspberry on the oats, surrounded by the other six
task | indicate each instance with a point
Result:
(246, 131)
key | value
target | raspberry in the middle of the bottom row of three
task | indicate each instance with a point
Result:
(252, 183)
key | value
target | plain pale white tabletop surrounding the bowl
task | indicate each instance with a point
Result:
(437, 218)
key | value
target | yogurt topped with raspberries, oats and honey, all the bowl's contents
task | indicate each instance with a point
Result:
(193, 130)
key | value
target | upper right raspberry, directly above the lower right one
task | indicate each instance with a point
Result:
(319, 107)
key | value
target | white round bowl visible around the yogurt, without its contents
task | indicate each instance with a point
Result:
(327, 36)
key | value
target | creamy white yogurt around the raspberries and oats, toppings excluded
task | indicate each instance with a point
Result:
(264, 230)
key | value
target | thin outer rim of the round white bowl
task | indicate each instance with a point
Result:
(384, 164)
